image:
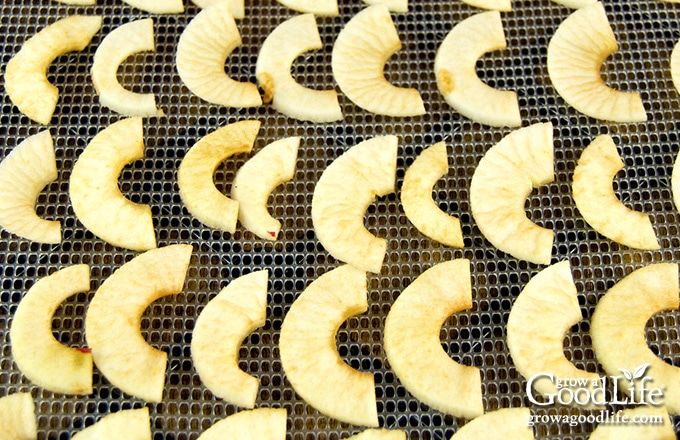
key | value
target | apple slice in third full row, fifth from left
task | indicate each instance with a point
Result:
(413, 346)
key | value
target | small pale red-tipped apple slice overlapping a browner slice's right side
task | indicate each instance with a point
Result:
(255, 181)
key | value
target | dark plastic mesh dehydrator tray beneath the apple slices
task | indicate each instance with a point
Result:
(646, 31)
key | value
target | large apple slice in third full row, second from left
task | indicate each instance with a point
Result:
(113, 320)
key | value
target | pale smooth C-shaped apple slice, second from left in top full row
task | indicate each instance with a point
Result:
(124, 41)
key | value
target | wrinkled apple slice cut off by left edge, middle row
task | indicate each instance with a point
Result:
(24, 172)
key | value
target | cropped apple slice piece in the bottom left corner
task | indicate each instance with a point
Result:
(17, 417)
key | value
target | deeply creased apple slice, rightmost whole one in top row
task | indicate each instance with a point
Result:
(576, 52)
